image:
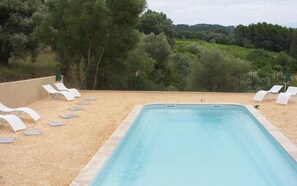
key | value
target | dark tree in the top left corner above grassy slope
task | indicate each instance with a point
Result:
(16, 29)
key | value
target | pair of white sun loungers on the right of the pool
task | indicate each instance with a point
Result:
(282, 98)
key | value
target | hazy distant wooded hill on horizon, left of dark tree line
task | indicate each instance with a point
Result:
(204, 28)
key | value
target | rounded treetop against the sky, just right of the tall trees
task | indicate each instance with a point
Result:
(157, 23)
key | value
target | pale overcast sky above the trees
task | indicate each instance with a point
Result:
(228, 12)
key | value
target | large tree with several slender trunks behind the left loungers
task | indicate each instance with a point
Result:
(76, 32)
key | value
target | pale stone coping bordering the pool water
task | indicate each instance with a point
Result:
(87, 174)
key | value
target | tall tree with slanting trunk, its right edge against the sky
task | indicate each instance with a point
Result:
(123, 35)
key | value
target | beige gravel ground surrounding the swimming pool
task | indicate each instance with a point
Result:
(57, 156)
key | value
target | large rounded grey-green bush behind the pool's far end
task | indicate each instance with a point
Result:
(214, 72)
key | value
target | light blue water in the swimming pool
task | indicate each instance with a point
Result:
(197, 145)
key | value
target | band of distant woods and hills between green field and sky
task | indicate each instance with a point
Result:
(260, 36)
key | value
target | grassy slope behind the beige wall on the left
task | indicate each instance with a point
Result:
(25, 69)
